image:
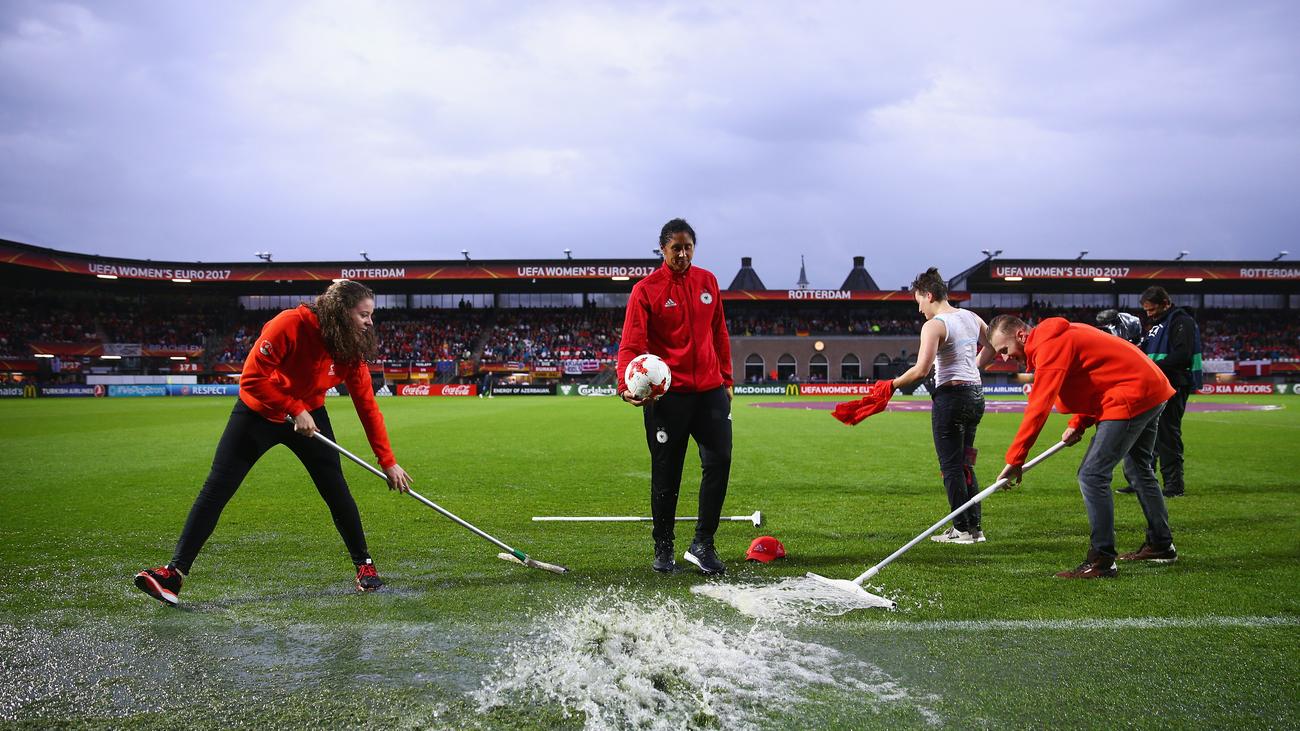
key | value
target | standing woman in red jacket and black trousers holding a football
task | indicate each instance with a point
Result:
(677, 314)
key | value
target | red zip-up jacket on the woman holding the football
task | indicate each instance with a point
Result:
(679, 318)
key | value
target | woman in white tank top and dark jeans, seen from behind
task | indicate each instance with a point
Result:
(951, 344)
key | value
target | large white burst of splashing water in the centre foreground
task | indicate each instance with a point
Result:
(626, 667)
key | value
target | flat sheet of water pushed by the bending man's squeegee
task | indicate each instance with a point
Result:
(792, 602)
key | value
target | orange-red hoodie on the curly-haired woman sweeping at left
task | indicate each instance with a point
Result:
(289, 371)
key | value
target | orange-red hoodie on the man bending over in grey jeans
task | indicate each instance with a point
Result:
(1086, 373)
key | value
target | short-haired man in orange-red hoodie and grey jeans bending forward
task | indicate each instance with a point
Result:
(1103, 382)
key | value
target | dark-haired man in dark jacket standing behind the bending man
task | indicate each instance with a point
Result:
(1175, 344)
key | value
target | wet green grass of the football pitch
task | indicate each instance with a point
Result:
(271, 635)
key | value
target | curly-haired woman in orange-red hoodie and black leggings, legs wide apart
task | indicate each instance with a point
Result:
(300, 356)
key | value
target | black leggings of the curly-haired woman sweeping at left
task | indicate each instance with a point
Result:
(246, 439)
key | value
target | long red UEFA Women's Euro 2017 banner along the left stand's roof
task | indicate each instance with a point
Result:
(54, 261)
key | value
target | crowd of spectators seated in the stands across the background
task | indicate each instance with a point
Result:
(531, 335)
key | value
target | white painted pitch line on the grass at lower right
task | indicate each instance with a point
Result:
(1072, 625)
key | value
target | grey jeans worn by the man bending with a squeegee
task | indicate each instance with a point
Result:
(1134, 443)
